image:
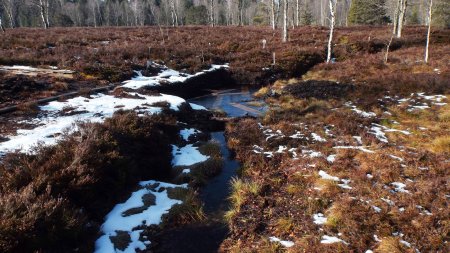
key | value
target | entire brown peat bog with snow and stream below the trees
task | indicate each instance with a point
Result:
(194, 140)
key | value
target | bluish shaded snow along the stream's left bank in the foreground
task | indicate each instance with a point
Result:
(147, 205)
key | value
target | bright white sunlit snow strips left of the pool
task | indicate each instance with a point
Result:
(52, 122)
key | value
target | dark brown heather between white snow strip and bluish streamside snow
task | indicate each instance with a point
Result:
(54, 199)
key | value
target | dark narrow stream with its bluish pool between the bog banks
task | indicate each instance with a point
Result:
(207, 236)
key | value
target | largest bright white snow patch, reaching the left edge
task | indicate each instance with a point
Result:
(93, 109)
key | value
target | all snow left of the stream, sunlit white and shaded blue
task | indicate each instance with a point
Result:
(148, 204)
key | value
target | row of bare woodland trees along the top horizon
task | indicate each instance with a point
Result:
(66, 13)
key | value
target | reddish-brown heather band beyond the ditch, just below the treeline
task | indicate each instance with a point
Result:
(111, 53)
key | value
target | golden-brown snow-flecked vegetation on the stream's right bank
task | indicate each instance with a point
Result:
(291, 191)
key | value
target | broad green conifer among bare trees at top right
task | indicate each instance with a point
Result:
(369, 12)
